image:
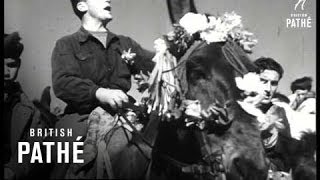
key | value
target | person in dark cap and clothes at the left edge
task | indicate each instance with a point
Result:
(20, 113)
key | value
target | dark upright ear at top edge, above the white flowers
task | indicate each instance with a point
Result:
(178, 8)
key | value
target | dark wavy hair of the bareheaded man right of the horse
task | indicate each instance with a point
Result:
(264, 63)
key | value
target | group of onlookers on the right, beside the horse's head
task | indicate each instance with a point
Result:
(281, 117)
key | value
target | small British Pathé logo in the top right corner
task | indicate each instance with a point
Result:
(299, 18)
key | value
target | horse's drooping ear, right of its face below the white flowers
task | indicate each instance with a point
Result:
(238, 58)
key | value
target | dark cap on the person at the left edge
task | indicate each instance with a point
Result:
(12, 46)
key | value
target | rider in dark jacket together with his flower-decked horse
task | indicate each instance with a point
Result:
(90, 75)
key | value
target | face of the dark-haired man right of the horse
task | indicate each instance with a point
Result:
(270, 80)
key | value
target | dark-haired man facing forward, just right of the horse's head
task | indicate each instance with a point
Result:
(270, 74)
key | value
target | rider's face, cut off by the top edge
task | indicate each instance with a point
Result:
(99, 9)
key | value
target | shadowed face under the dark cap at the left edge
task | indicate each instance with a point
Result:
(11, 68)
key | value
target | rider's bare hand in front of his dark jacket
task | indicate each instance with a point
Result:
(113, 97)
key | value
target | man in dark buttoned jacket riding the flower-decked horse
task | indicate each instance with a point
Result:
(92, 68)
